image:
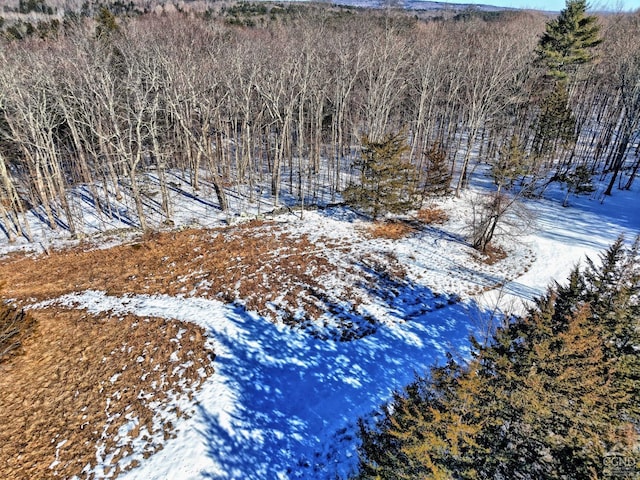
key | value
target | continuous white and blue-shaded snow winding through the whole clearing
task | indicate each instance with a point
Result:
(284, 404)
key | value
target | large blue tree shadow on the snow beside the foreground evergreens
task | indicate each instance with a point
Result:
(297, 398)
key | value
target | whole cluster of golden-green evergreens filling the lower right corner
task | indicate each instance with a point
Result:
(546, 398)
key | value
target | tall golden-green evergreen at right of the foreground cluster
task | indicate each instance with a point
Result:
(559, 404)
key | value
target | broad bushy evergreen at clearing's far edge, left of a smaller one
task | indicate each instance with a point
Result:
(386, 179)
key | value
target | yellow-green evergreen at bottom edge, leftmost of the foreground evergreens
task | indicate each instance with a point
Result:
(432, 429)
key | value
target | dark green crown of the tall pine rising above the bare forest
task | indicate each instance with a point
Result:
(569, 39)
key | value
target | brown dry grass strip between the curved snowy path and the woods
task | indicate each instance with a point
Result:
(254, 263)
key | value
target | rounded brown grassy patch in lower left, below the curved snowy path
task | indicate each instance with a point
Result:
(95, 385)
